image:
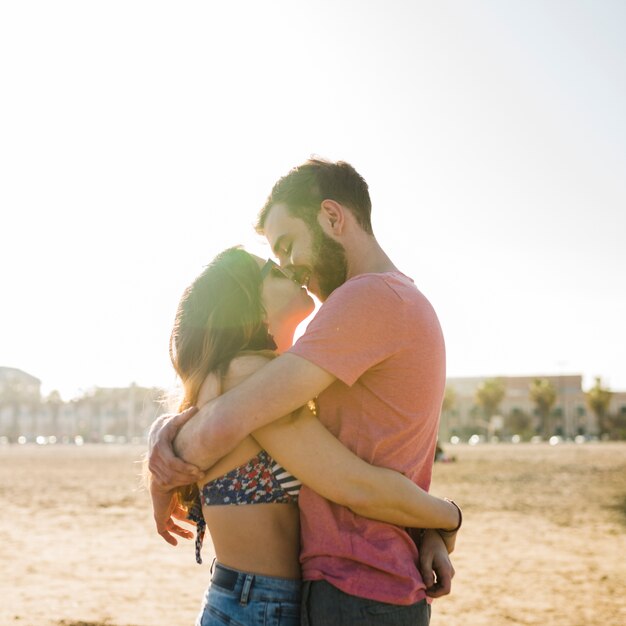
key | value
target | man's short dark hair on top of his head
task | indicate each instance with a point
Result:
(306, 186)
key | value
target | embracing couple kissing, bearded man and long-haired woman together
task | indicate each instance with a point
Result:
(308, 464)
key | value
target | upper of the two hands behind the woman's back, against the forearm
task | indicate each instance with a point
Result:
(168, 471)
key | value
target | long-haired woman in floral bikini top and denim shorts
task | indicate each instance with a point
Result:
(230, 321)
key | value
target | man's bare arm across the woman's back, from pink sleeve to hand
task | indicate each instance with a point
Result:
(277, 389)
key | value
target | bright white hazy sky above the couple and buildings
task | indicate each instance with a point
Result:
(138, 139)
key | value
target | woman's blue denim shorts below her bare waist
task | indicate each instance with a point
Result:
(244, 599)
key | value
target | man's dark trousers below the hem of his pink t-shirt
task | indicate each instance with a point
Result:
(325, 605)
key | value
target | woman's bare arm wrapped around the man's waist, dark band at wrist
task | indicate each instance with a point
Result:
(303, 446)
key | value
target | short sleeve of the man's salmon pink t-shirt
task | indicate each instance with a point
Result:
(355, 329)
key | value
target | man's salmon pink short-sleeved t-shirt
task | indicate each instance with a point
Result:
(380, 337)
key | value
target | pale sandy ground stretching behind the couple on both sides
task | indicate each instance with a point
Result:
(544, 539)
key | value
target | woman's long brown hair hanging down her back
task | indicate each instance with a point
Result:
(219, 315)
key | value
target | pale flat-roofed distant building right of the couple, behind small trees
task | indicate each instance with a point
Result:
(570, 415)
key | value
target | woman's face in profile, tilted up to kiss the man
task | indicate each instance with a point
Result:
(286, 302)
